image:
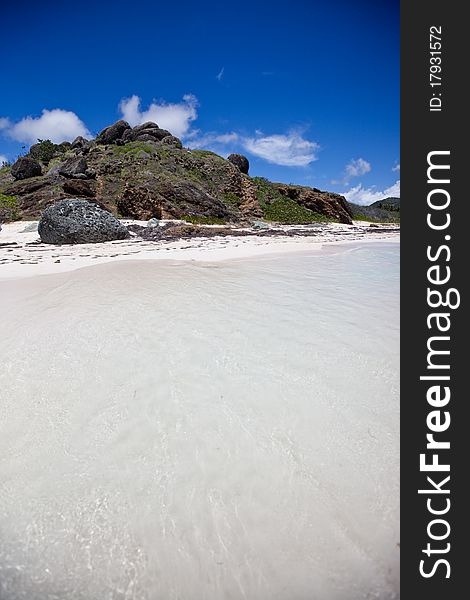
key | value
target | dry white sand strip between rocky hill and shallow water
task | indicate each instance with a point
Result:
(22, 254)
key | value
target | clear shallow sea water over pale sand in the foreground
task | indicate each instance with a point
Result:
(195, 431)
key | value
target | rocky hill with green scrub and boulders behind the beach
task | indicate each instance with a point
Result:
(145, 172)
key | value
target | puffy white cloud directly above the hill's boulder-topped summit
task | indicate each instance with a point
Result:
(177, 118)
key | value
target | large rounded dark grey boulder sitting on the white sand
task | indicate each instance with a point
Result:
(77, 221)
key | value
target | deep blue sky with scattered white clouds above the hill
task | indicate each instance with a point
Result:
(308, 90)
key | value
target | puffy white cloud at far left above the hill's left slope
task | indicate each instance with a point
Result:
(56, 125)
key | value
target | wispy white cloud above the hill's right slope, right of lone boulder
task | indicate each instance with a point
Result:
(289, 150)
